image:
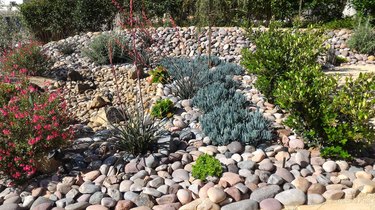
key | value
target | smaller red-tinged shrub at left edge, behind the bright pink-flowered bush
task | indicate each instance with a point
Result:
(28, 57)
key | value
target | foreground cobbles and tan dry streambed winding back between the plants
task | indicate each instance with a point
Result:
(271, 176)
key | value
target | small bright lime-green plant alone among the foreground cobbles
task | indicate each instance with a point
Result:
(206, 165)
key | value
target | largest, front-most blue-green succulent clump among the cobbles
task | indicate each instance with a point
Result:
(225, 124)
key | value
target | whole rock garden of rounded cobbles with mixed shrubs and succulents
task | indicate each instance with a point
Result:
(155, 119)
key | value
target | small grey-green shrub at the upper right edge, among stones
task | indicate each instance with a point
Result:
(363, 38)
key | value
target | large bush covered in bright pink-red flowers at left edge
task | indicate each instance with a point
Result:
(32, 123)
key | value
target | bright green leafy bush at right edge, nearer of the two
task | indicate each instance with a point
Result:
(336, 119)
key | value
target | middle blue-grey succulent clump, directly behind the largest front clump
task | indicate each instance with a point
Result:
(213, 95)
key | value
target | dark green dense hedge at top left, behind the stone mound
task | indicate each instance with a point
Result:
(56, 19)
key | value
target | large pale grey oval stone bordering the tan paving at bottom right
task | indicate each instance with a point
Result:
(291, 197)
